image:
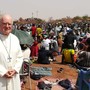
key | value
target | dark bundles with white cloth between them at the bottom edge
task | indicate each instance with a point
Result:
(48, 85)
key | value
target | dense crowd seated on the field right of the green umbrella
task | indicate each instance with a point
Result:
(72, 41)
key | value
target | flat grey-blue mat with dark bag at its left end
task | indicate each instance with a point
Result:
(37, 72)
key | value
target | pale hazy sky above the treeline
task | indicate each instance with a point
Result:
(45, 9)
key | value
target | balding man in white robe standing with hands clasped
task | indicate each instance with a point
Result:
(11, 57)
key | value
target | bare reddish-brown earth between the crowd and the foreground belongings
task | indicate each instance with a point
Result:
(68, 72)
